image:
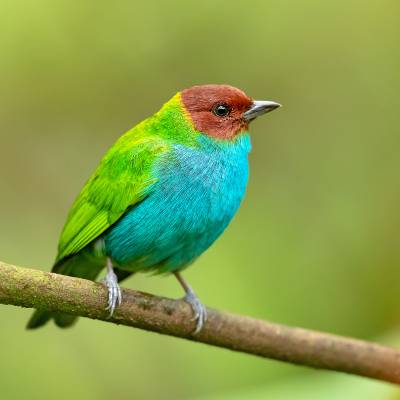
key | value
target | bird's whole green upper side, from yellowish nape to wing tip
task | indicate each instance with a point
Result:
(124, 176)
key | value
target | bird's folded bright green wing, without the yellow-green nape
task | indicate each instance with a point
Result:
(123, 178)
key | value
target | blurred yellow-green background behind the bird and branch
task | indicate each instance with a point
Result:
(316, 241)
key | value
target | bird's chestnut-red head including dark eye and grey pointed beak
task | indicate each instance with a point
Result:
(222, 111)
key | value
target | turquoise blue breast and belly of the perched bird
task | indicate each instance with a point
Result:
(197, 194)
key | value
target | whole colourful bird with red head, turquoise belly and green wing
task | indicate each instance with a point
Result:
(161, 195)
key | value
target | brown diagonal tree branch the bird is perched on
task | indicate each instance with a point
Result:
(43, 290)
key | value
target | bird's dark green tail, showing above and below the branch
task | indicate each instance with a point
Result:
(82, 265)
